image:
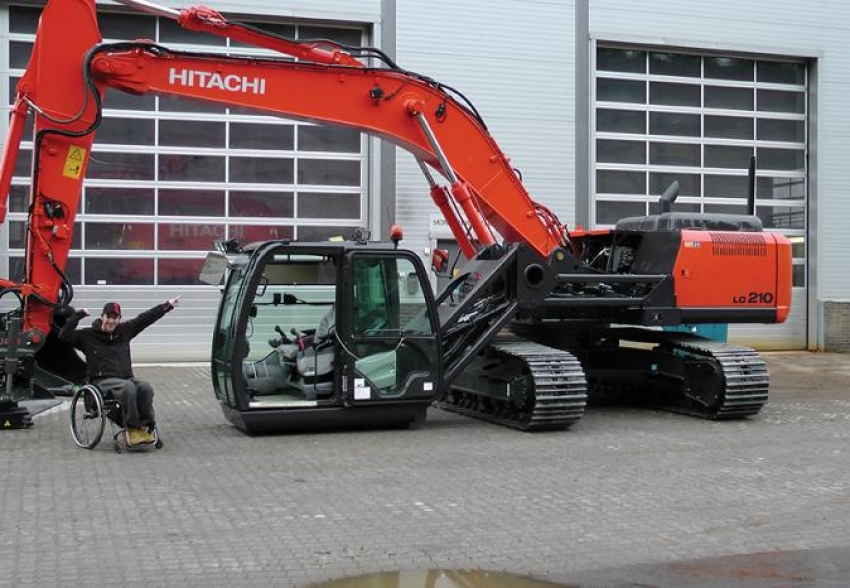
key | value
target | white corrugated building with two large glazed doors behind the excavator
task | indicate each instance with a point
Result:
(599, 105)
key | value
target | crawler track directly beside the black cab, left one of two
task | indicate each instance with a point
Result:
(559, 382)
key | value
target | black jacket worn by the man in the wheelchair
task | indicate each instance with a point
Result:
(108, 354)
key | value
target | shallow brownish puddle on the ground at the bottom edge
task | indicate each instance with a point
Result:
(440, 579)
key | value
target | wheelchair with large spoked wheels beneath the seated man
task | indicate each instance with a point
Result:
(90, 412)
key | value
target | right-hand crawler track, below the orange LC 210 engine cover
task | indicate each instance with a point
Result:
(744, 371)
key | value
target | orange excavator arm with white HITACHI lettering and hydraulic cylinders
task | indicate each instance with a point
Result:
(63, 86)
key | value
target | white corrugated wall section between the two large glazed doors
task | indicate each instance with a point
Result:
(515, 61)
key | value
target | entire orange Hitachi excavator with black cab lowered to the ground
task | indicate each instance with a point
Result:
(322, 334)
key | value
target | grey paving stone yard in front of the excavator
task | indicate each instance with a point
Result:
(624, 487)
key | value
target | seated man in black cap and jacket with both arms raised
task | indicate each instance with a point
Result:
(109, 366)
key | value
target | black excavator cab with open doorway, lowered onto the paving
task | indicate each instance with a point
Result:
(324, 334)
